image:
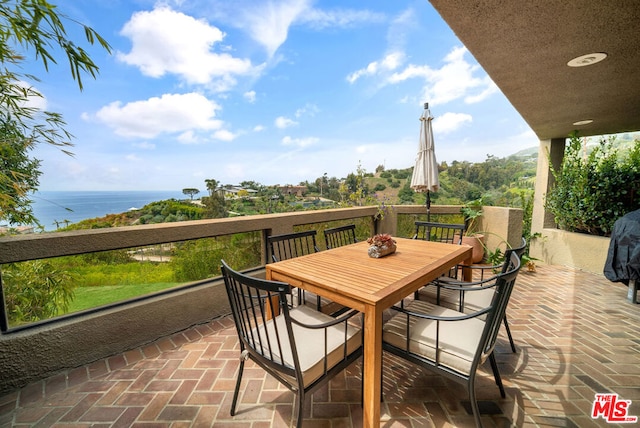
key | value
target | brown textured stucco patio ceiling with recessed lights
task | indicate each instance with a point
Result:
(525, 48)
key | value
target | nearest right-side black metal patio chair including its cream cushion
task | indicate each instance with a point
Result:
(449, 342)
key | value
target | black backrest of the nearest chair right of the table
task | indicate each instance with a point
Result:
(505, 282)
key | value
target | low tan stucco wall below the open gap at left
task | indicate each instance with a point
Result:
(39, 352)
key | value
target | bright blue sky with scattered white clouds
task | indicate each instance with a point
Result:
(276, 92)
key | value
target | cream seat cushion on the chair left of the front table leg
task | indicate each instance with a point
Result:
(310, 343)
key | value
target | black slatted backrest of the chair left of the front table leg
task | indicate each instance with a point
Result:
(253, 301)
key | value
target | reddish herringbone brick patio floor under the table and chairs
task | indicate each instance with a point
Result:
(576, 334)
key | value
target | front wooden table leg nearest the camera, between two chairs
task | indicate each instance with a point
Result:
(372, 372)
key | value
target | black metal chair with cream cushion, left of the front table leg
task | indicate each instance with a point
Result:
(301, 348)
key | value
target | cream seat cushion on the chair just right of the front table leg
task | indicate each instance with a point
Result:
(458, 340)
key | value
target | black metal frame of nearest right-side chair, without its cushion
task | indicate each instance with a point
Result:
(491, 316)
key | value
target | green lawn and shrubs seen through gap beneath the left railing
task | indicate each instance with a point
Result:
(39, 290)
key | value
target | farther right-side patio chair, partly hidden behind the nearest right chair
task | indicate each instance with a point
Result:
(450, 293)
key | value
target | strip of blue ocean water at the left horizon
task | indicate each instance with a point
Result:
(74, 206)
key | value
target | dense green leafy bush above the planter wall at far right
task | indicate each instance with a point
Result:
(590, 193)
